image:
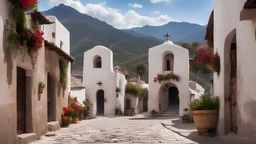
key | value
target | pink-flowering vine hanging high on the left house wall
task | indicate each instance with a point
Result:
(19, 34)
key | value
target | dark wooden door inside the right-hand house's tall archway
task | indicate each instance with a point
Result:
(233, 87)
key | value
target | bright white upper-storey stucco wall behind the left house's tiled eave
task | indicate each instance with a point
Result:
(61, 34)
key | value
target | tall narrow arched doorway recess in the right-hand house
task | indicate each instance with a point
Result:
(230, 82)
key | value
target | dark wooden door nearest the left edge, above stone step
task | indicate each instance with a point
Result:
(21, 101)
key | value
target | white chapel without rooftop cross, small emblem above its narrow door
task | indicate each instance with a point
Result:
(101, 82)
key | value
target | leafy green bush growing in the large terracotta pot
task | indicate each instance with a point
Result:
(205, 102)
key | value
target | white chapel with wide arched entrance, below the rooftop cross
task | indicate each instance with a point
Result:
(163, 59)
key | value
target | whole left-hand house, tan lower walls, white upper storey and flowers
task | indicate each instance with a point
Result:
(34, 76)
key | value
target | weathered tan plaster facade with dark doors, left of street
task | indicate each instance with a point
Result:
(25, 108)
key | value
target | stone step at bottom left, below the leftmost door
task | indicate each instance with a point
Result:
(26, 138)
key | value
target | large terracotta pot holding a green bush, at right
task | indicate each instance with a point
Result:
(205, 120)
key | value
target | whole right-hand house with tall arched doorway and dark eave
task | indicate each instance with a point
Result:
(231, 31)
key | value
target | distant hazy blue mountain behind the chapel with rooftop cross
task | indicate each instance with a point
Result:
(178, 31)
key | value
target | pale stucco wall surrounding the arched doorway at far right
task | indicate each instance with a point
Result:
(227, 24)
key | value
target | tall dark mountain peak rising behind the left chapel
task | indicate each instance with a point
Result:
(86, 31)
